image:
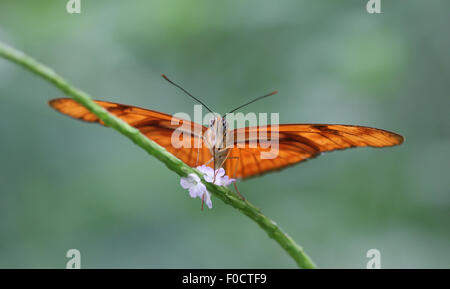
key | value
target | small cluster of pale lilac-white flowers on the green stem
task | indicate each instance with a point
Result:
(198, 189)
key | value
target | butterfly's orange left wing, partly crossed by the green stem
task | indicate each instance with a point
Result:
(157, 126)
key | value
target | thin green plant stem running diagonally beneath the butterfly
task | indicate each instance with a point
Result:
(174, 164)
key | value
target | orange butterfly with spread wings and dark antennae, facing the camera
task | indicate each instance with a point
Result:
(242, 158)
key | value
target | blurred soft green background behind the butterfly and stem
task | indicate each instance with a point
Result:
(66, 184)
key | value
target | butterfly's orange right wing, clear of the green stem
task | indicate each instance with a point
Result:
(297, 143)
